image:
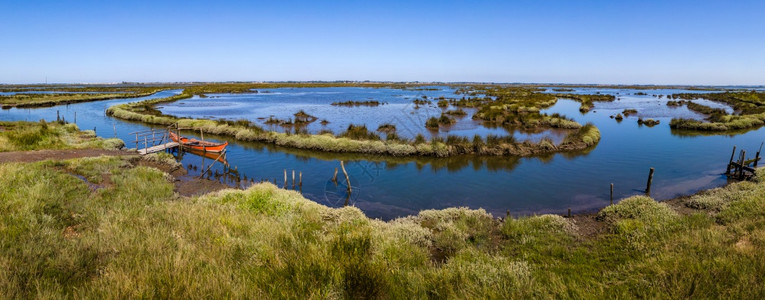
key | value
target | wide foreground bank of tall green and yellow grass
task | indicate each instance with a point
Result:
(132, 237)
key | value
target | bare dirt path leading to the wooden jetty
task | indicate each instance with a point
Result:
(33, 156)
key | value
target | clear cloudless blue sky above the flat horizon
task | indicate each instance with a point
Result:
(621, 42)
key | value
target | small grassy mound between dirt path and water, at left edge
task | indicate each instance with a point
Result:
(25, 136)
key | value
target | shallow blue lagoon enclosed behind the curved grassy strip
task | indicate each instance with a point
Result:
(397, 108)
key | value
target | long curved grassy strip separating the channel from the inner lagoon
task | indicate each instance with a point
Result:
(581, 138)
